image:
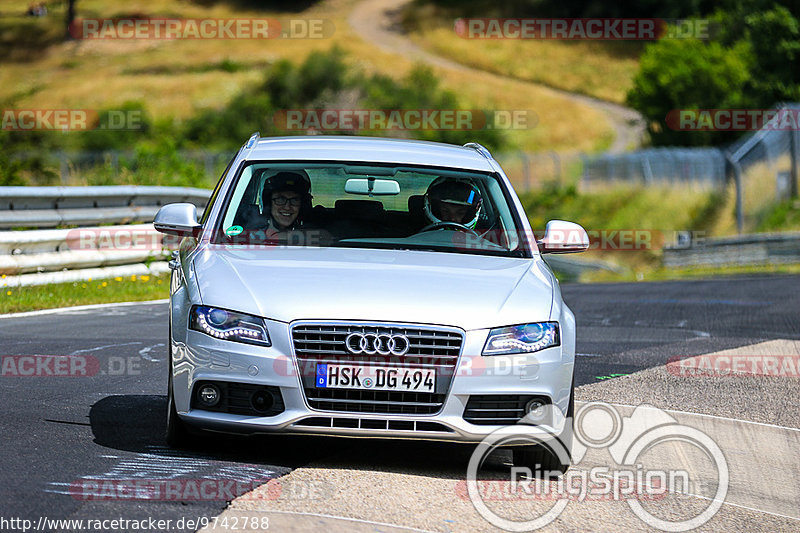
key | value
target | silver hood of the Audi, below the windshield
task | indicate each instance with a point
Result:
(466, 291)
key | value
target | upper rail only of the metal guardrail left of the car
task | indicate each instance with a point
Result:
(49, 207)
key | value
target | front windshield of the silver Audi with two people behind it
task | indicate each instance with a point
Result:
(369, 206)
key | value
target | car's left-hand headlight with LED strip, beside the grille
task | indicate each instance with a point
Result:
(229, 325)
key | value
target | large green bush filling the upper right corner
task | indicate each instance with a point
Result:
(751, 62)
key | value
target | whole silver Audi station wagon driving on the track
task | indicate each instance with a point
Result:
(368, 287)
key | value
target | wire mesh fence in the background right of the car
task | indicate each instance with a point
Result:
(761, 167)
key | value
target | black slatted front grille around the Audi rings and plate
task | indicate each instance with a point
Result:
(428, 348)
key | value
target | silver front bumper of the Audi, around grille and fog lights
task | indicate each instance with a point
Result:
(198, 357)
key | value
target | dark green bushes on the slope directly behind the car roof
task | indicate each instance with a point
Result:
(325, 81)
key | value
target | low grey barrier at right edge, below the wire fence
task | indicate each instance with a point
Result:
(757, 249)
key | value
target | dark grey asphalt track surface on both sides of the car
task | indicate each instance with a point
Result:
(59, 431)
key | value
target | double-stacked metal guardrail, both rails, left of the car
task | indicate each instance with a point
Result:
(39, 256)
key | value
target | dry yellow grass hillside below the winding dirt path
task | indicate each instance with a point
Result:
(176, 79)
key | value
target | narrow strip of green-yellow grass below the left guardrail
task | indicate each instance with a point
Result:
(127, 289)
